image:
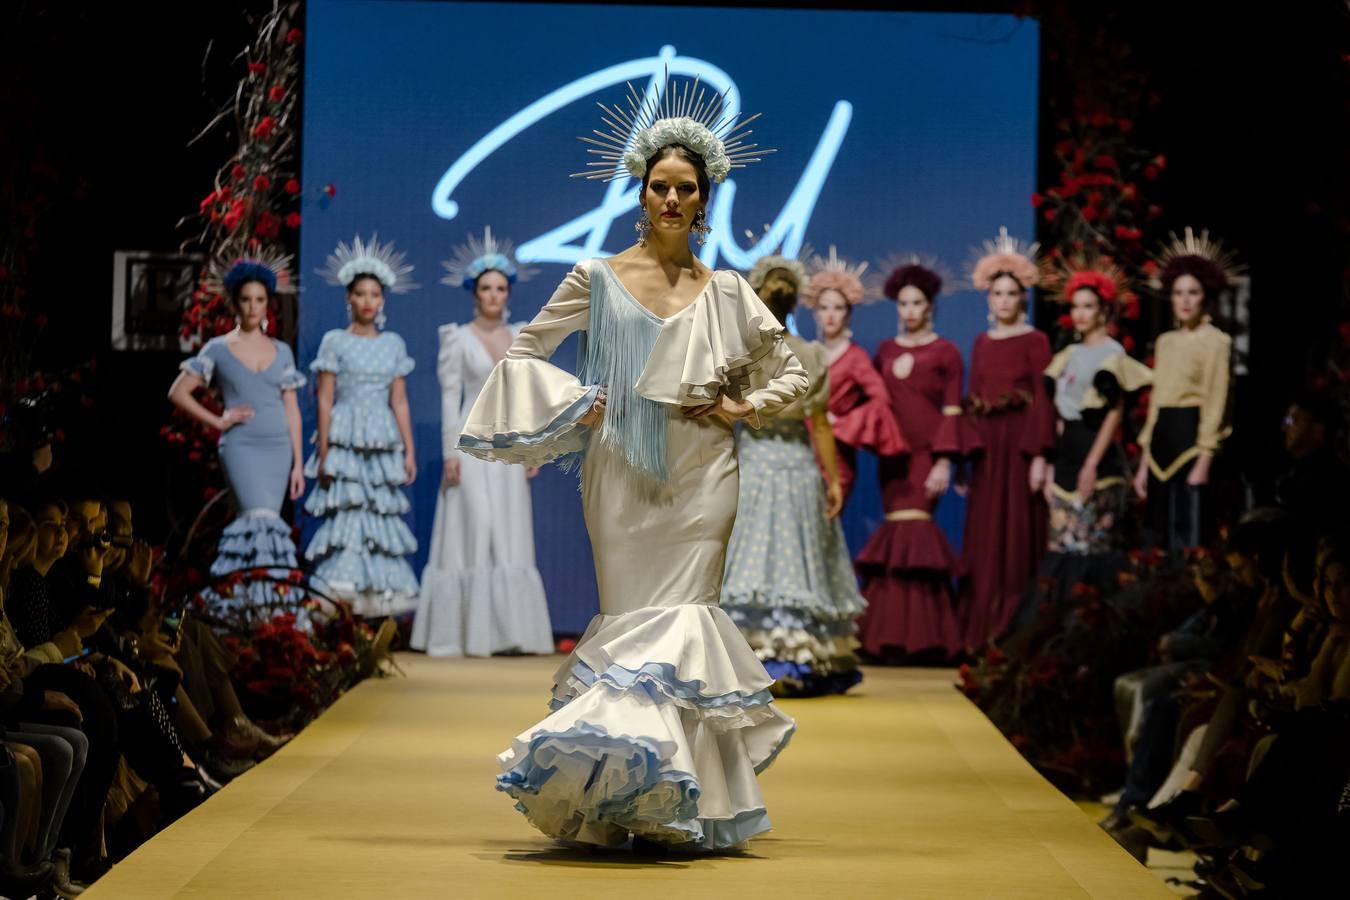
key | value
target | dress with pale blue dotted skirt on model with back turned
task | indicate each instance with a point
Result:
(790, 584)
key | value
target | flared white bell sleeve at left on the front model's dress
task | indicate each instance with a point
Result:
(530, 411)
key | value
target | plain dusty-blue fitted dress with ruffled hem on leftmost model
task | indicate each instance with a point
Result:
(257, 461)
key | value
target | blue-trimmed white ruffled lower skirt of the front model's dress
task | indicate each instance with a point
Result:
(666, 747)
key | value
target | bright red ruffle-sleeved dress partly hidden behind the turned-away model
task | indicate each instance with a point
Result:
(862, 411)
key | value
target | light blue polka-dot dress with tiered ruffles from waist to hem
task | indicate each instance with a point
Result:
(361, 547)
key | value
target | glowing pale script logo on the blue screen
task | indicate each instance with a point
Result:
(584, 237)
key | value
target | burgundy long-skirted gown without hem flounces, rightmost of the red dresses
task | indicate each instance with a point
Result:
(1005, 522)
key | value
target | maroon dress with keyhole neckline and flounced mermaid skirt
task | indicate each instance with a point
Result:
(908, 566)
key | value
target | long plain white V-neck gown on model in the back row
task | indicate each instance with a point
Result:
(481, 592)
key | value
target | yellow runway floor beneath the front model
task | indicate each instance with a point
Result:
(901, 790)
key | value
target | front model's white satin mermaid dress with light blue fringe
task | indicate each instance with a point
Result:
(662, 716)
